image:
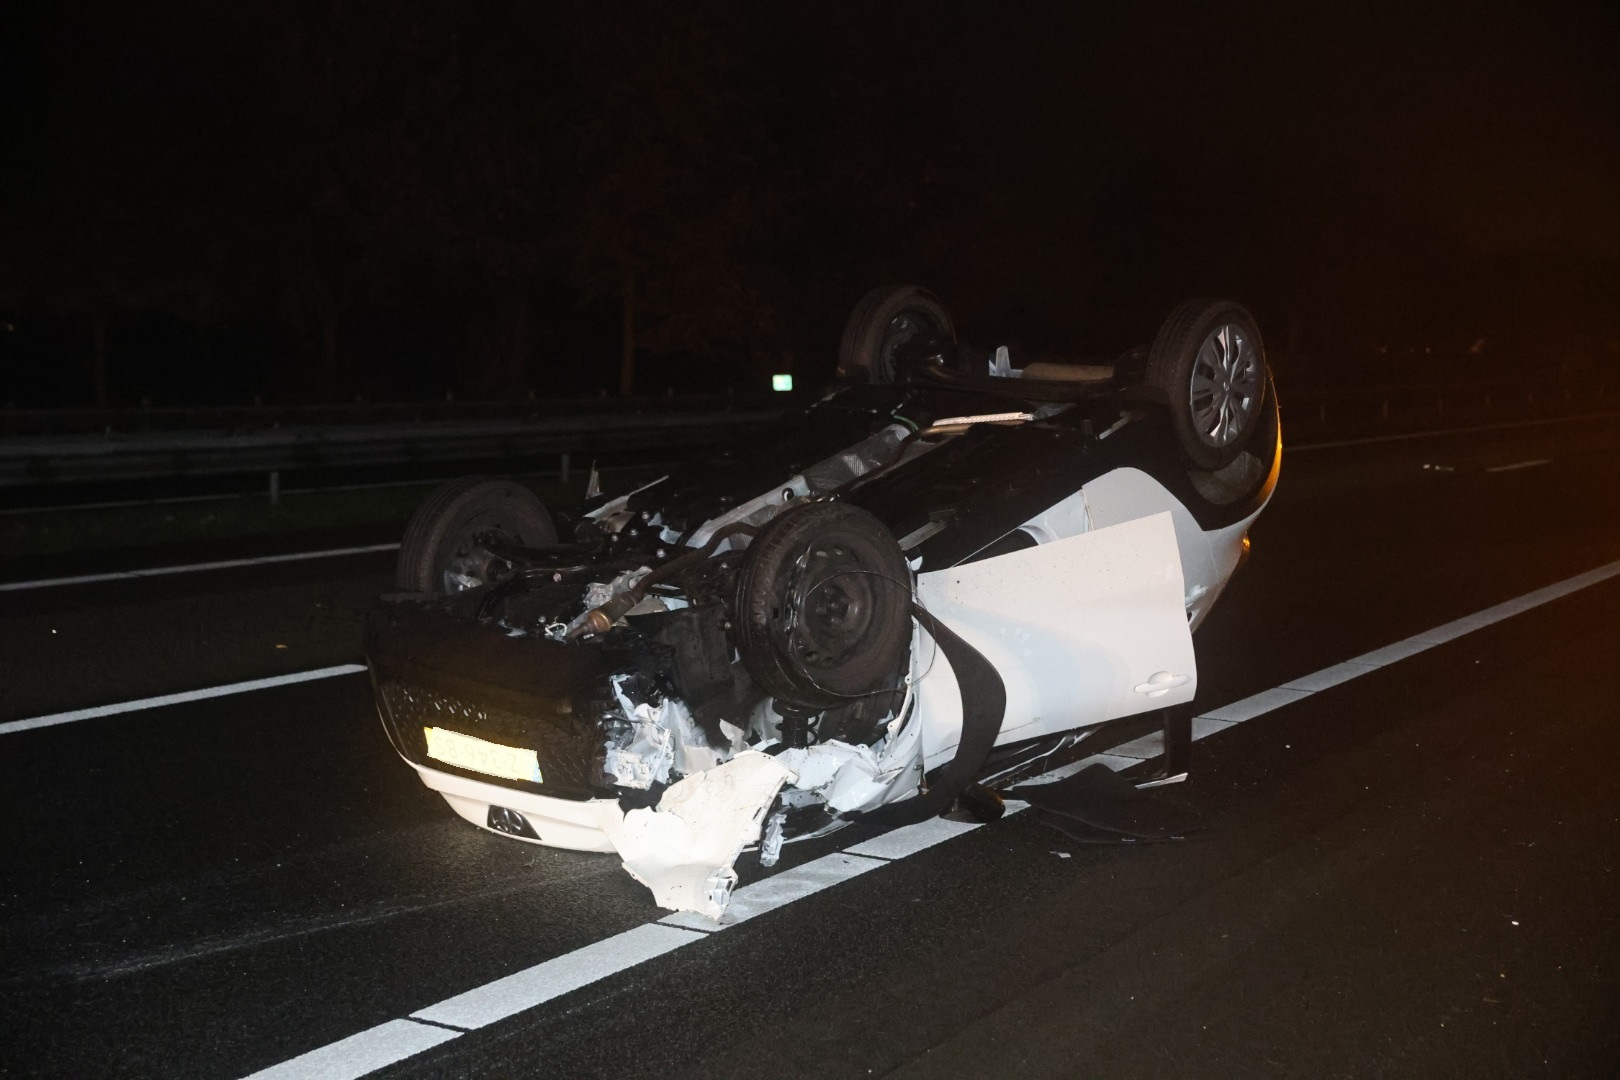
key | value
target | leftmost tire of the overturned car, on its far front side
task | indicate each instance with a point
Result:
(440, 553)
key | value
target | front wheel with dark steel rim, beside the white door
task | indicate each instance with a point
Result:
(824, 606)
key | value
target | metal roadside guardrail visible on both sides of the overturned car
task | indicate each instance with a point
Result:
(164, 444)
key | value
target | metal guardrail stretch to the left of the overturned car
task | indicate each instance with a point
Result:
(88, 459)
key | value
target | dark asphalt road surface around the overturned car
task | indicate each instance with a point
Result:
(1410, 874)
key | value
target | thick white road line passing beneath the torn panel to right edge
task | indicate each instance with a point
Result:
(574, 971)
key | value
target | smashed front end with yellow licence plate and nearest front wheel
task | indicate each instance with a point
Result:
(746, 678)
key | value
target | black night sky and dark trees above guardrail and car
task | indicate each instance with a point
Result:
(325, 198)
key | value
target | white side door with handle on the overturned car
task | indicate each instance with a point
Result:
(1083, 631)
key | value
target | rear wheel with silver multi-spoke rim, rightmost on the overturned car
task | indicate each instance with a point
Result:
(1209, 364)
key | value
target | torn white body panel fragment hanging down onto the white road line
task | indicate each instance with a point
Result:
(686, 849)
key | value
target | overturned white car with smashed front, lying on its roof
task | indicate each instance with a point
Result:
(913, 593)
